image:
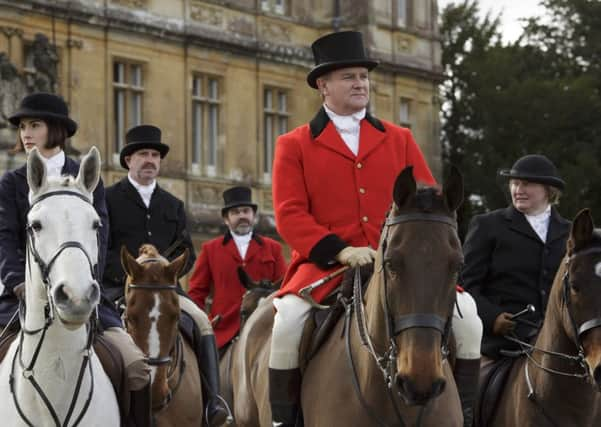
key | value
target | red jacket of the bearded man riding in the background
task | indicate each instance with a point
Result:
(216, 269)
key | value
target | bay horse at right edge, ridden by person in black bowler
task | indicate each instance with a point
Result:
(558, 381)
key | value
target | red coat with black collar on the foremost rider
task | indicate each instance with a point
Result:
(325, 198)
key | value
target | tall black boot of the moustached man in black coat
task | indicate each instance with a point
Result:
(208, 362)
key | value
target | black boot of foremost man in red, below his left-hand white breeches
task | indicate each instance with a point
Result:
(284, 396)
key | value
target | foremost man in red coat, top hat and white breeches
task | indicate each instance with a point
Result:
(332, 185)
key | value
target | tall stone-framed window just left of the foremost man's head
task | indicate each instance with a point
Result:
(276, 120)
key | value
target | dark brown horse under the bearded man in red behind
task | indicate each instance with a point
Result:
(256, 293)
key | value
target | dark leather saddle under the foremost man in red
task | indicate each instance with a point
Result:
(321, 323)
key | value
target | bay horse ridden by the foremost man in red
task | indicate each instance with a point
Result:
(384, 363)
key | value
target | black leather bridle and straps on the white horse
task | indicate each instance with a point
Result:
(28, 370)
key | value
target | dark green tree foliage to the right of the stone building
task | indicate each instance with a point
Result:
(538, 95)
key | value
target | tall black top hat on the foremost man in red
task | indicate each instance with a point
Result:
(338, 50)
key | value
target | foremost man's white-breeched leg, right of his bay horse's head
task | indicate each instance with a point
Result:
(467, 328)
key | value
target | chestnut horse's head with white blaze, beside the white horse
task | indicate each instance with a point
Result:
(152, 307)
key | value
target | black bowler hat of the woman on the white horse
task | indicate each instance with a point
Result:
(42, 105)
